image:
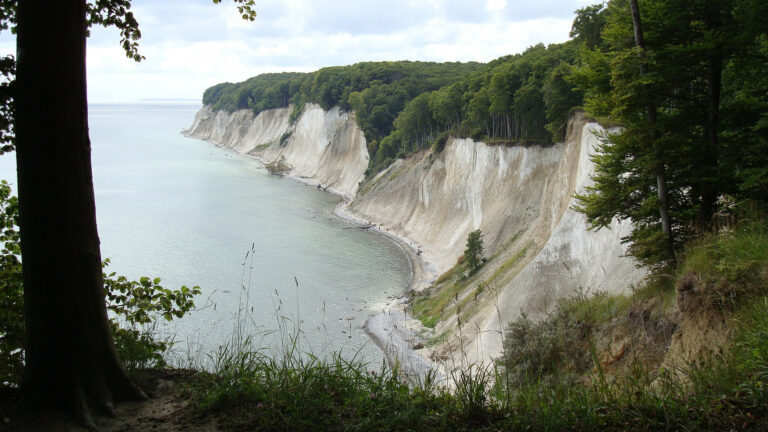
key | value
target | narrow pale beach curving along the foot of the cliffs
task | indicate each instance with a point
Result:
(392, 330)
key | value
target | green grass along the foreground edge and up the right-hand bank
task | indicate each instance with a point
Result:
(250, 391)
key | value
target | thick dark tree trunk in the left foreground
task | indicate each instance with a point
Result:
(70, 354)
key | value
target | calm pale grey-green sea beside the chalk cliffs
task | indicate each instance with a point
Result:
(266, 251)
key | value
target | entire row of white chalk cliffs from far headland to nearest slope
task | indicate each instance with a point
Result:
(521, 197)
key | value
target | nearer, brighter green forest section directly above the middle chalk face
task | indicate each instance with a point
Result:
(517, 98)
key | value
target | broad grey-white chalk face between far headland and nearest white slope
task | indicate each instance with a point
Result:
(436, 200)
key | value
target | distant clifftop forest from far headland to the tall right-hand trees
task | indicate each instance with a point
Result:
(404, 106)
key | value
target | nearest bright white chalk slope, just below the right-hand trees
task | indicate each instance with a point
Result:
(573, 257)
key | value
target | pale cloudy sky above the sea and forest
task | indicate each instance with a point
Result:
(191, 45)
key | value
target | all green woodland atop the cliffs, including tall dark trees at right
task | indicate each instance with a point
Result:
(689, 94)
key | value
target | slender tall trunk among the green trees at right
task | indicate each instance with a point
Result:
(661, 175)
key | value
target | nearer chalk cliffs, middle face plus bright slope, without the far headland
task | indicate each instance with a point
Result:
(521, 197)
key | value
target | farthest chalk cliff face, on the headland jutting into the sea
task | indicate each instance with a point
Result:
(324, 147)
